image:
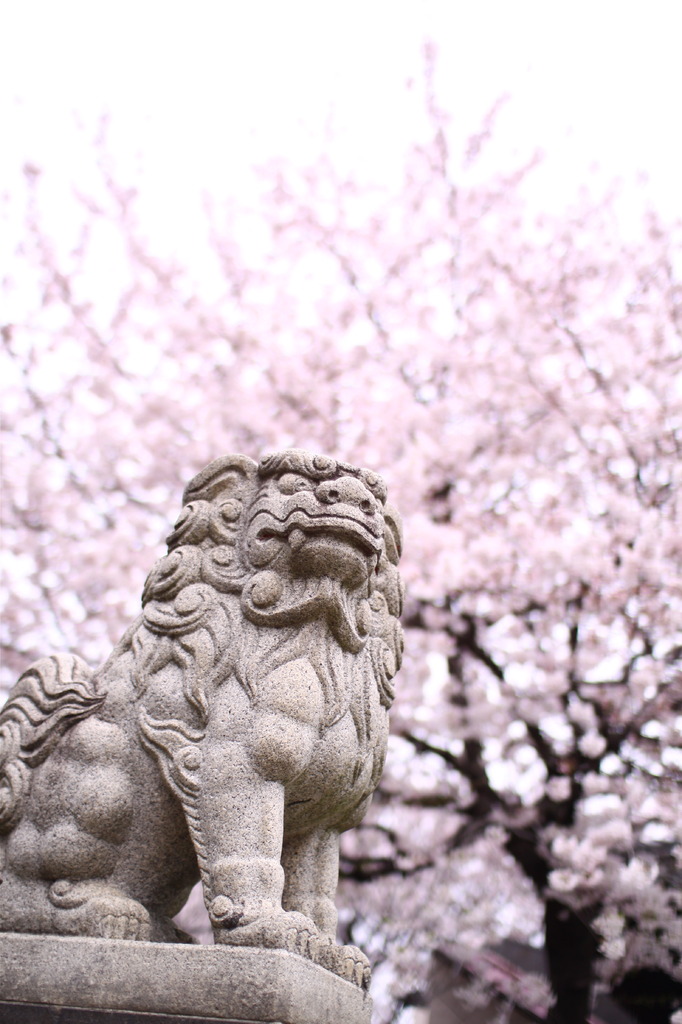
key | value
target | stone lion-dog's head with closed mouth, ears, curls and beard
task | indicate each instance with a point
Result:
(297, 536)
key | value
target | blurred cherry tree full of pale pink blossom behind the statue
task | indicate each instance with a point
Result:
(519, 381)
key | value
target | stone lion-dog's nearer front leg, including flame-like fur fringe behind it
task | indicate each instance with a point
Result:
(231, 780)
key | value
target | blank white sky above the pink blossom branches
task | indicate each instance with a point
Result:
(201, 91)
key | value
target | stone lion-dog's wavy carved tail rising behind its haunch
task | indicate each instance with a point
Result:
(53, 695)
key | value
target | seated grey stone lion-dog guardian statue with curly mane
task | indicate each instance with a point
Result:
(237, 730)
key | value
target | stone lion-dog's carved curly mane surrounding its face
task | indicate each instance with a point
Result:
(197, 617)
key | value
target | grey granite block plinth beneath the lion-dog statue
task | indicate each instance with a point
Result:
(103, 982)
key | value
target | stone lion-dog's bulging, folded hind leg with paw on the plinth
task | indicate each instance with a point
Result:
(60, 860)
